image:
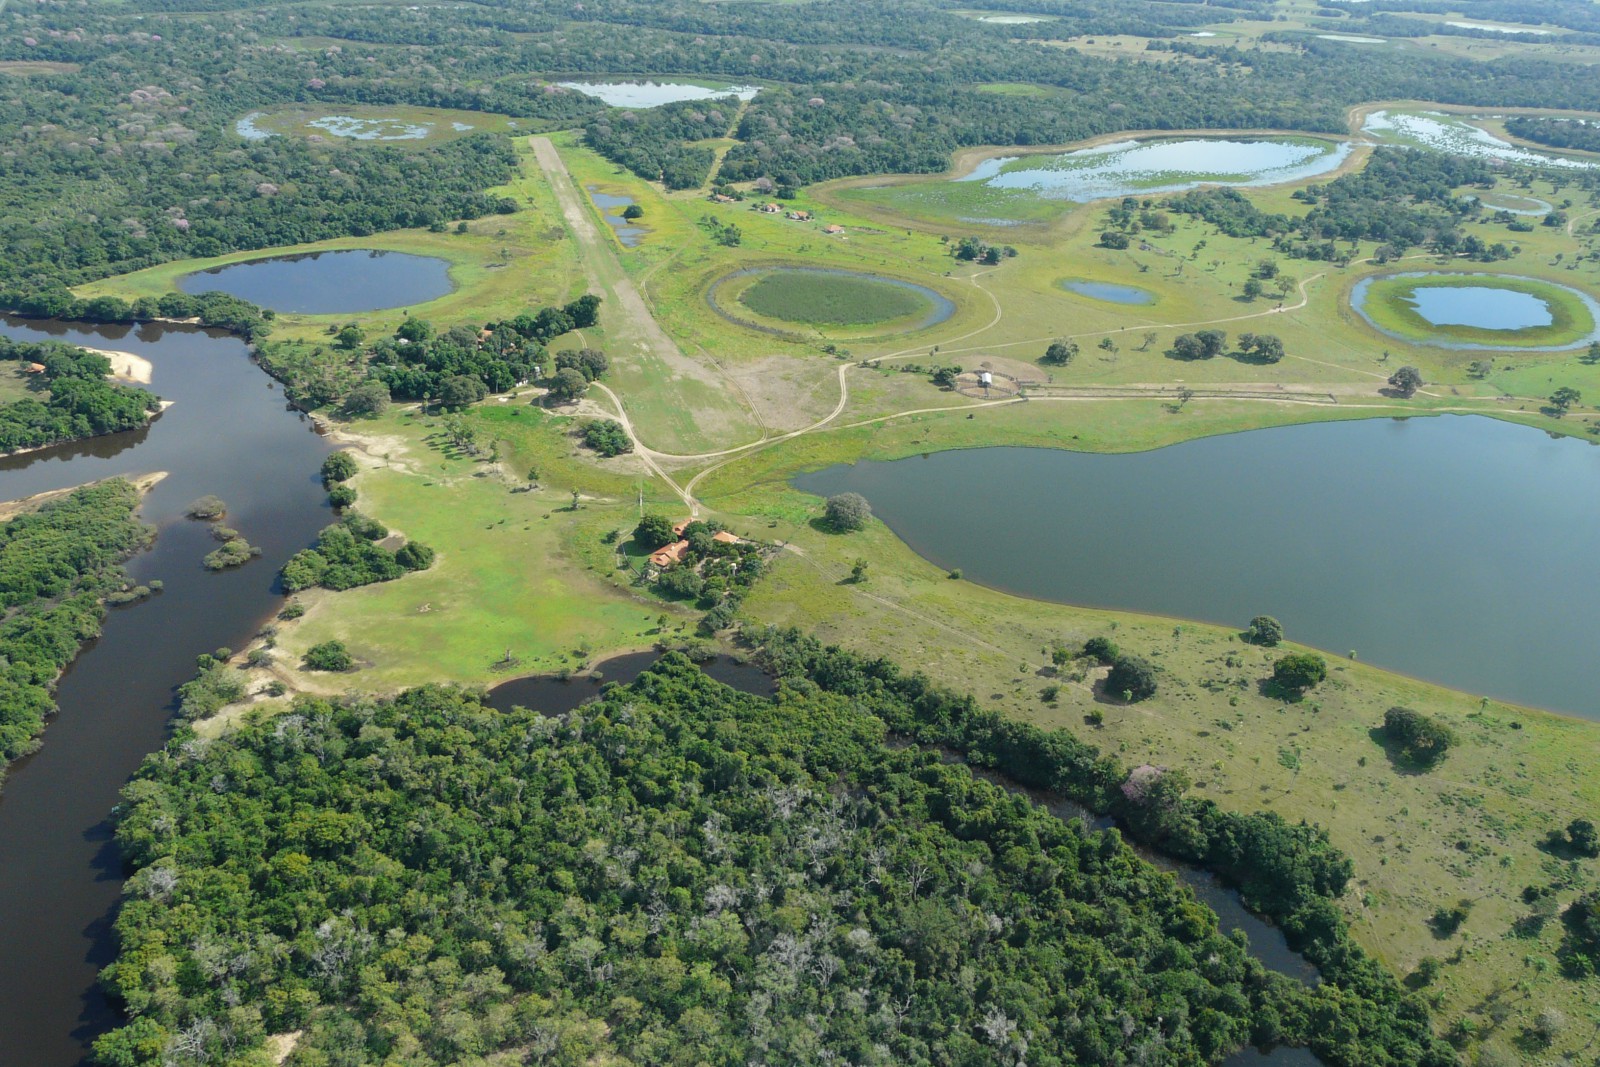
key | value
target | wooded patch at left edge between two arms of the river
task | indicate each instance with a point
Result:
(79, 401)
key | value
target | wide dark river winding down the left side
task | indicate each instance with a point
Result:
(231, 434)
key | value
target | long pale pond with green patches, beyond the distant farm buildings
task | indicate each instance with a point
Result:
(1151, 167)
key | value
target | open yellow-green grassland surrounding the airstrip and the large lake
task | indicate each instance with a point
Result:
(527, 581)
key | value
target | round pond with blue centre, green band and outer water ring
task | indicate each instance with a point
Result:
(1478, 311)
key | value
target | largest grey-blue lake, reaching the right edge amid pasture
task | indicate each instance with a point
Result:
(1458, 549)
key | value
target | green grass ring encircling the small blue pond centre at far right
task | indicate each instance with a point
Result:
(1391, 305)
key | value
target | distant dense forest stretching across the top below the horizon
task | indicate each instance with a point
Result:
(126, 154)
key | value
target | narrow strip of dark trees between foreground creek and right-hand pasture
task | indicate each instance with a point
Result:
(1292, 874)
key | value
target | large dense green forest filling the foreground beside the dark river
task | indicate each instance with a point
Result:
(676, 874)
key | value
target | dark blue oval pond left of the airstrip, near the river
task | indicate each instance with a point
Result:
(329, 282)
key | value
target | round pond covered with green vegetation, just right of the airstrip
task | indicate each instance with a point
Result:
(778, 300)
